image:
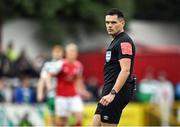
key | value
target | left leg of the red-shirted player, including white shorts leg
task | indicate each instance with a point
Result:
(61, 111)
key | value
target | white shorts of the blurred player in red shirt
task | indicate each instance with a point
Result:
(66, 105)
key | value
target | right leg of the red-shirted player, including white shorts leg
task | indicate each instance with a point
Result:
(76, 107)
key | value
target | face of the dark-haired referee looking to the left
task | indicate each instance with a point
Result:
(114, 25)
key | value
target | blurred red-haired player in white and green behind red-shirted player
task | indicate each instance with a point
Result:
(43, 83)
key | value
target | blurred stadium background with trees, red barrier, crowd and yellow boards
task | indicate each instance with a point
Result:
(30, 28)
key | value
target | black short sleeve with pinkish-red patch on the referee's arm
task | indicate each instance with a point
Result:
(125, 50)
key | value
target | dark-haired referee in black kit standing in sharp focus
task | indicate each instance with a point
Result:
(119, 85)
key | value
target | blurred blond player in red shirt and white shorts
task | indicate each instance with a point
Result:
(70, 87)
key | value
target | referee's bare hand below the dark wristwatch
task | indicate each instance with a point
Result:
(106, 100)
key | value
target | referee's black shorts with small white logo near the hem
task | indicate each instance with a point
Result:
(112, 112)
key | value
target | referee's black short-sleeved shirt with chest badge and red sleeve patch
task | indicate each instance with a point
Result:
(121, 47)
